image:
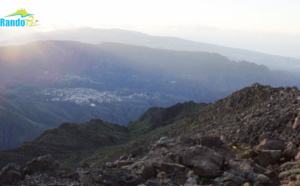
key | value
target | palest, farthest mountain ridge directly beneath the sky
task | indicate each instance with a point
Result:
(96, 36)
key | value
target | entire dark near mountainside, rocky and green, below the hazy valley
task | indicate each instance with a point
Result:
(248, 138)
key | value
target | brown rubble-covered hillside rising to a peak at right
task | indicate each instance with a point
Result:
(253, 113)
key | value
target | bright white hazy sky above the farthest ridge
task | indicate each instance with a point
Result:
(271, 26)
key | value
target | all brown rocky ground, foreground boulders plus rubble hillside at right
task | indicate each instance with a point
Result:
(249, 138)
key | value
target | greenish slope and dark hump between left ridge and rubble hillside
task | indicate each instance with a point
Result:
(145, 130)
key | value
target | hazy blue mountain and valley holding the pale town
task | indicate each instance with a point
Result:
(46, 83)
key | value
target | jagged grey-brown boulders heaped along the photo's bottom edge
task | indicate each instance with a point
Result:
(202, 160)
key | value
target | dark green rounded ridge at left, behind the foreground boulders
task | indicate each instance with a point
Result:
(67, 139)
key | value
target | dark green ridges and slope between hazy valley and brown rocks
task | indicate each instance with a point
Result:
(96, 142)
